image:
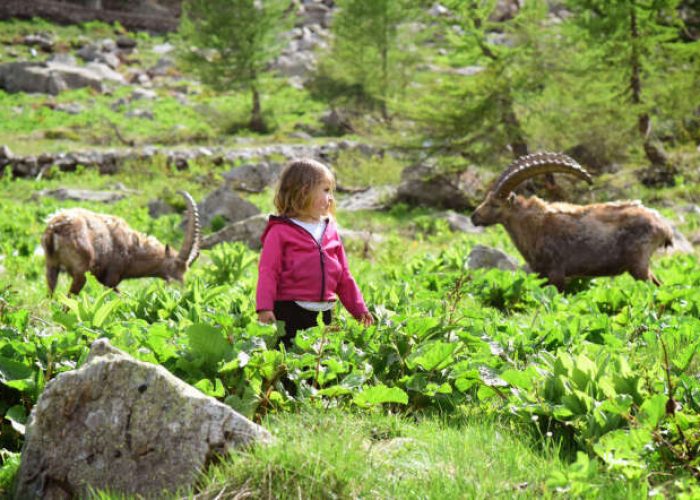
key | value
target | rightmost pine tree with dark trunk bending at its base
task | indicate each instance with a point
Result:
(638, 45)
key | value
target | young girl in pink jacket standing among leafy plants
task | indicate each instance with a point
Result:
(302, 265)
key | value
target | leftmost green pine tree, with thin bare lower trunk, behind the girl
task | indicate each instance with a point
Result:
(231, 42)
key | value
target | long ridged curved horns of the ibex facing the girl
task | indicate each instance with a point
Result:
(534, 164)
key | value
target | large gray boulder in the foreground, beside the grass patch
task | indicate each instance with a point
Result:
(125, 425)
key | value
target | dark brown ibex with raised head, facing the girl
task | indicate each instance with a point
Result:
(562, 240)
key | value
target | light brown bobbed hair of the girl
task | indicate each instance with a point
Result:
(296, 185)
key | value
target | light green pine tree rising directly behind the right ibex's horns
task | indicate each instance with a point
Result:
(480, 116)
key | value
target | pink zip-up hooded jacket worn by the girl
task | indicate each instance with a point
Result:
(293, 266)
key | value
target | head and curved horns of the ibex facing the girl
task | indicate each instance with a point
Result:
(500, 198)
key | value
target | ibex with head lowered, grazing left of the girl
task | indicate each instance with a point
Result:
(78, 240)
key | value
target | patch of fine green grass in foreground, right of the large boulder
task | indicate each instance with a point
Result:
(334, 454)
